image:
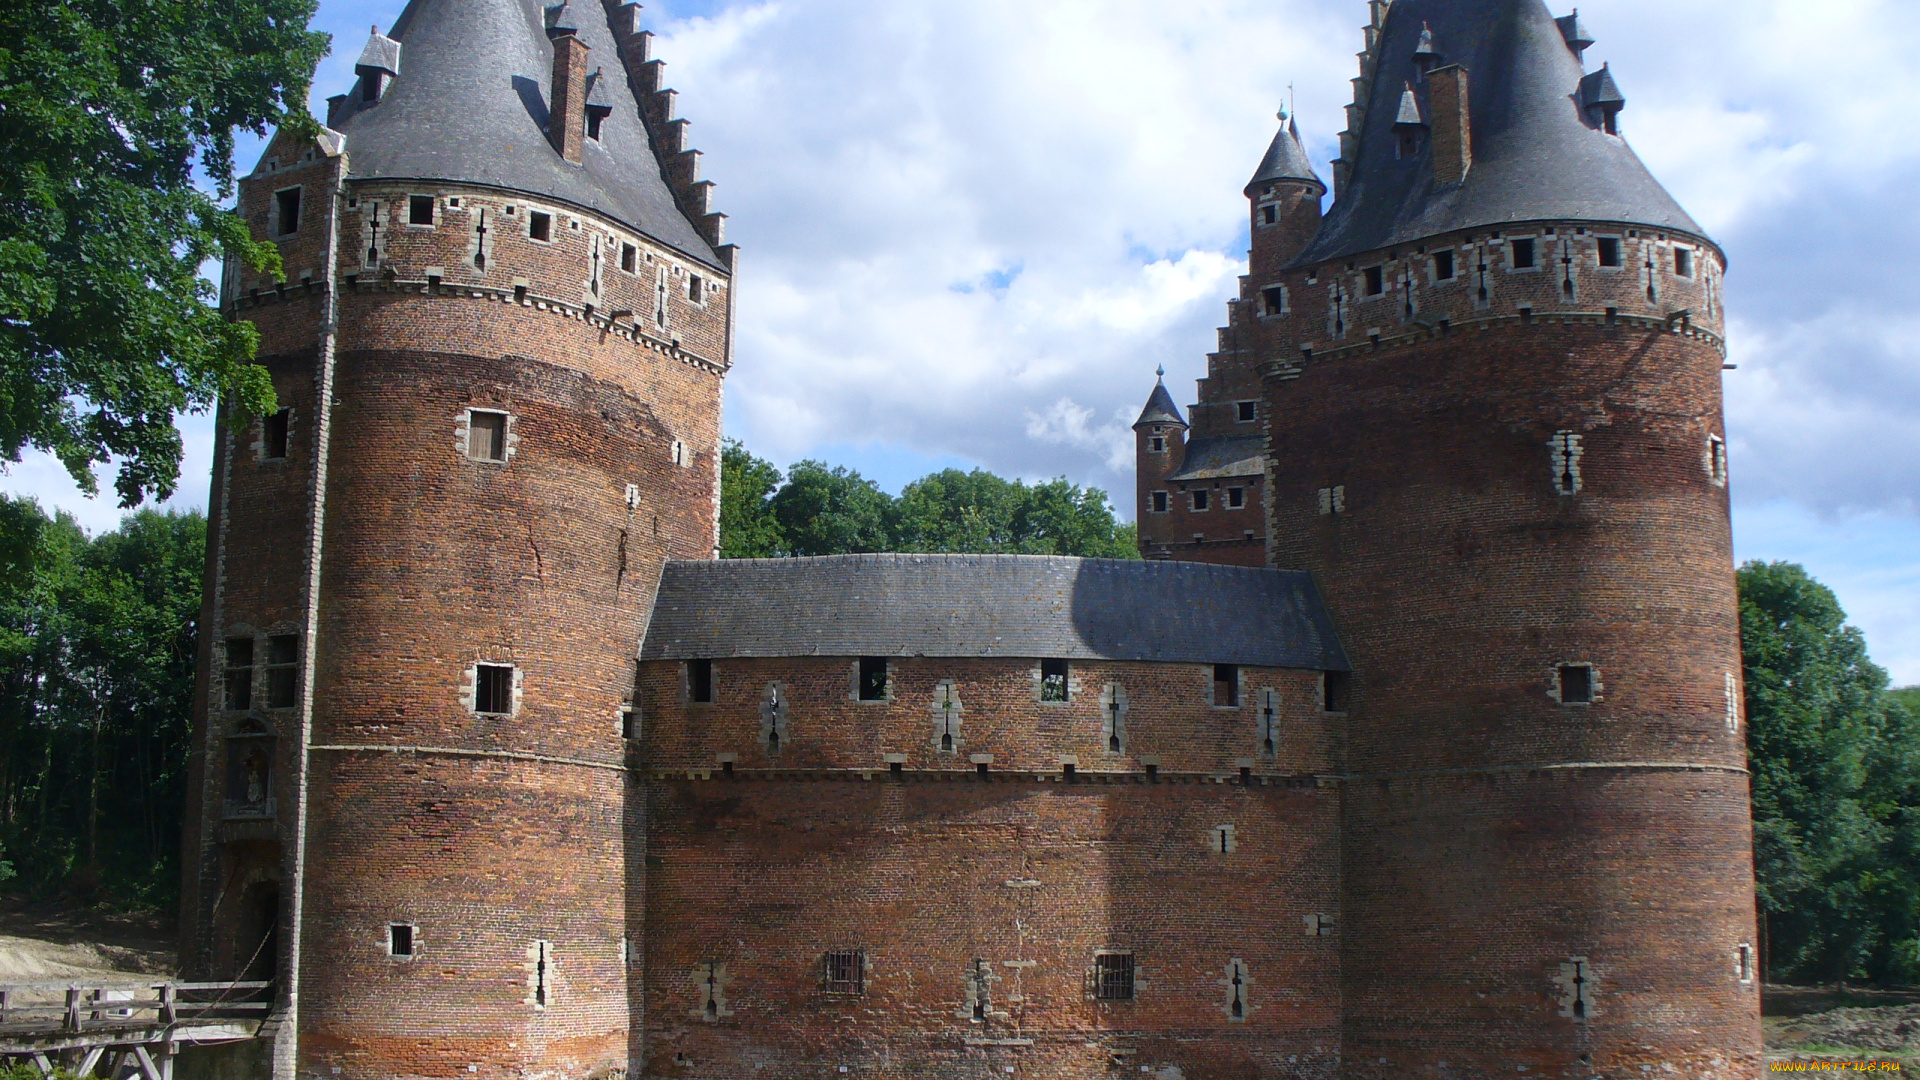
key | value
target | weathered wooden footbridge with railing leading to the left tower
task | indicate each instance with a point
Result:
(132, 1029)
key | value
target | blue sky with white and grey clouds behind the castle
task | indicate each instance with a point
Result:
(971, 233)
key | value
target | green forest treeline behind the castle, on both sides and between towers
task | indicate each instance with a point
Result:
(97, 666)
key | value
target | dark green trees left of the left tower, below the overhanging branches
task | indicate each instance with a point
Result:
(97, 679)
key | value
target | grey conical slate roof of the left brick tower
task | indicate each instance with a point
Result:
(471, 107)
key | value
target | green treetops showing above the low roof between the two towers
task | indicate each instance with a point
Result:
(821, 510)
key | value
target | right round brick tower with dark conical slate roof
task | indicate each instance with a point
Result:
(1491, 403)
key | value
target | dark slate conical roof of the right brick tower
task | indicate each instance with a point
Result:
(1537, 153)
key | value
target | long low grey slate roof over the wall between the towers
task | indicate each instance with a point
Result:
(990, 606)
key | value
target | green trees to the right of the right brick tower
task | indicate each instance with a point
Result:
(1836, 787)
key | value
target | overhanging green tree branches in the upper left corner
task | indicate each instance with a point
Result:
(107, 330)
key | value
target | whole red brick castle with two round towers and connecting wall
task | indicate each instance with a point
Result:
(1414, 749)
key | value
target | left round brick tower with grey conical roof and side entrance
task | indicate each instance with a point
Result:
(500, 349)
